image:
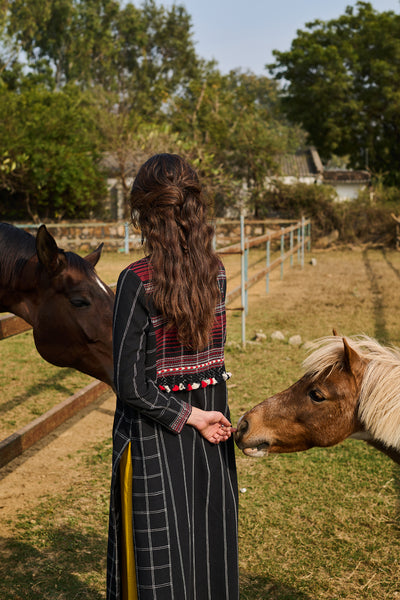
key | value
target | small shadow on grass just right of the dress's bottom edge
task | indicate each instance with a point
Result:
(263, 588)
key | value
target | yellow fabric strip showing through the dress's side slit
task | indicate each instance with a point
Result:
(128, 567)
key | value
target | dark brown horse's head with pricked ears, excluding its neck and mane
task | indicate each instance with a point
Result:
(72, 323)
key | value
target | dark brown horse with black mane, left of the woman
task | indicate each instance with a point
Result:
(61, 296)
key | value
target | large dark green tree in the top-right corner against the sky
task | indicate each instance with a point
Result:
(341, 83)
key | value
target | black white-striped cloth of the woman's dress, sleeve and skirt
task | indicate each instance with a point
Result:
(184, 488)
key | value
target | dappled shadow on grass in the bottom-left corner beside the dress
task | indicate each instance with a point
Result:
(67, 565)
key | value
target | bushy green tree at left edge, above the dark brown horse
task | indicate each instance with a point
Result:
(48, 144)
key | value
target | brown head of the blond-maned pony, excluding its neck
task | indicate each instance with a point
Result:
(318, 410)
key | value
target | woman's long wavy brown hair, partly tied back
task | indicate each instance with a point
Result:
(168, 205)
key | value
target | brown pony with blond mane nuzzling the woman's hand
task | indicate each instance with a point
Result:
(350, 389)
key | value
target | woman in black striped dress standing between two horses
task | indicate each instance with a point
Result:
(173, 517)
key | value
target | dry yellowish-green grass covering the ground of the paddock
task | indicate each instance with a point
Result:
(324, 524)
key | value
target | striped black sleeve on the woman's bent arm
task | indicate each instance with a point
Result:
(135, 357)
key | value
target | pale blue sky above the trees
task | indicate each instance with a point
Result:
(243, 33)
